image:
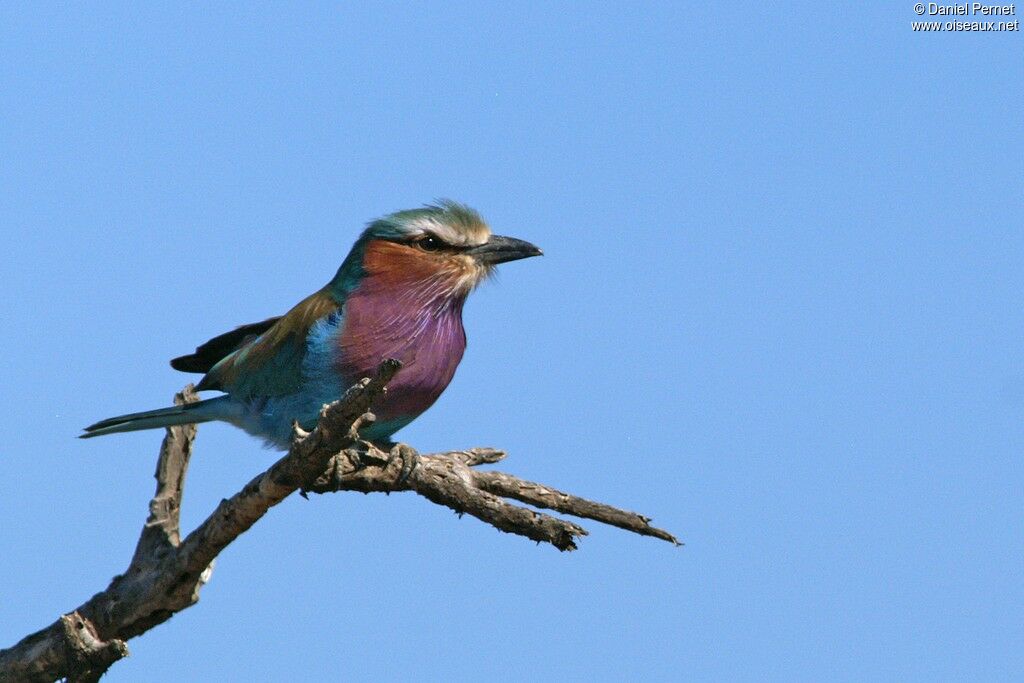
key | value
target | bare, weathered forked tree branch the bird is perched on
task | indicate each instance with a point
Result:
(166, 574)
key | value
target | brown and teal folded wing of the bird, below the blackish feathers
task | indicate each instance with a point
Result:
(271, 365)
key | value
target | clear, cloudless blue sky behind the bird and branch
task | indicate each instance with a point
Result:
(780, 312)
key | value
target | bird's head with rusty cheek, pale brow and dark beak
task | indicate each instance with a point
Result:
(445, 248)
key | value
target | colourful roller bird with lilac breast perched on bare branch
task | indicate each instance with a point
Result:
(399, 294)
